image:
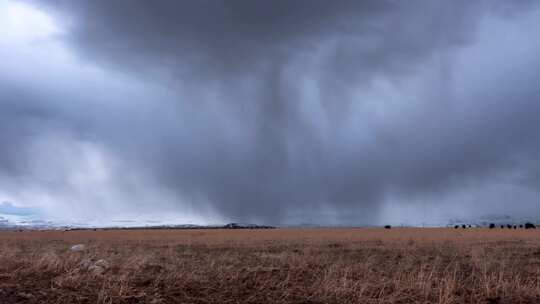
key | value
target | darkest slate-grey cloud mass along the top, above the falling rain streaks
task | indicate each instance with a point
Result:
(219, 40)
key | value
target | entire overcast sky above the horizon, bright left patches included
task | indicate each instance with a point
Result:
(278, 112)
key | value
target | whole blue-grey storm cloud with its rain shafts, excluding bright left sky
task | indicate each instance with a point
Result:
(261, 108)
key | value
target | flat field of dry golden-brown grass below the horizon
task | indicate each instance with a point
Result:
(439, 265)
